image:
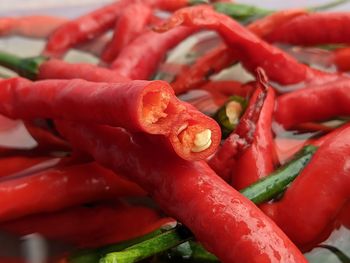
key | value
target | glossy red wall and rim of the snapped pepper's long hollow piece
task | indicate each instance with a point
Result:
(117, 104)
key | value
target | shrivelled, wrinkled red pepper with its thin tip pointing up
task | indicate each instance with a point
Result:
(224, 159)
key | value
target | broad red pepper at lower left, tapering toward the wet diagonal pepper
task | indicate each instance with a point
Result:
(61, 187)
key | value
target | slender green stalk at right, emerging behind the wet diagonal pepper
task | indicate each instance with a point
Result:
(276, 183)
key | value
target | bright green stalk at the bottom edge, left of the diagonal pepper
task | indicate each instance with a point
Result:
(150, 247)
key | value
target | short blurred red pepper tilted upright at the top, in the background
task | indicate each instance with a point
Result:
(131, 23)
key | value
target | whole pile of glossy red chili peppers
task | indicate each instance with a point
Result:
(92, 139)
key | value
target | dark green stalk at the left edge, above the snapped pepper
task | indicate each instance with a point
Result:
(25, 67)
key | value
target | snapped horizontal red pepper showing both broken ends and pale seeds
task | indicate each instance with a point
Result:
(136, 105)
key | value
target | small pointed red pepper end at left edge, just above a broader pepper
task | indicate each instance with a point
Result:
(13, 164)
